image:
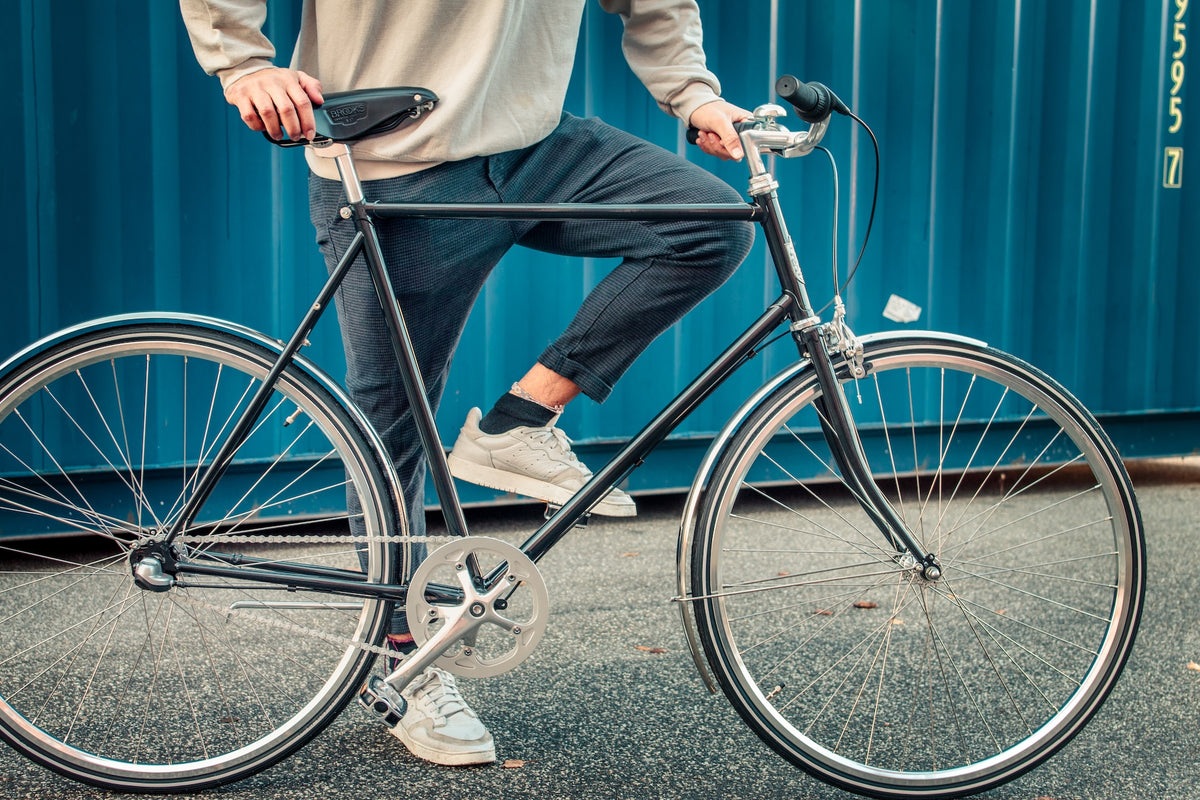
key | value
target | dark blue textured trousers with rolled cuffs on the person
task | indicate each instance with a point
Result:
(439, 267)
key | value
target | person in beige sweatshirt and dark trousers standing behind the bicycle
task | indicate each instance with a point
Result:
(500, 134)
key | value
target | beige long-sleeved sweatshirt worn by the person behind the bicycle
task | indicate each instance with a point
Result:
(501, 68)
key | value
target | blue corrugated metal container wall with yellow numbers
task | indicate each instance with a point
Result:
(1023, 197)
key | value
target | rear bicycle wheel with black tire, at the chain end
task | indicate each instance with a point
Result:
(202, 684)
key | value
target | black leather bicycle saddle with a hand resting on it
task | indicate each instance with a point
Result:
(353, 116)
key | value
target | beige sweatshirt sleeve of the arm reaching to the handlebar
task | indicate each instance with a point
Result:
(664, 47)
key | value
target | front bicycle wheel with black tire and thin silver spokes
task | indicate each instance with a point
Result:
(849, 660)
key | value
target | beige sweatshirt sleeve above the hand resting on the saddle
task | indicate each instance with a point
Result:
(227, 37)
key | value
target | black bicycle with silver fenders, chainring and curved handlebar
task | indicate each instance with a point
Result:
(953, 631)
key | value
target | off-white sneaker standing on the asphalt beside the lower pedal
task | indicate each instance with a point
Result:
(440, 726)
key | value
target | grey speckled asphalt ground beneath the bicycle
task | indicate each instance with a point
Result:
(610, 705)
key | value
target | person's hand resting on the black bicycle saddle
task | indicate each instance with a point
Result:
(278, 101)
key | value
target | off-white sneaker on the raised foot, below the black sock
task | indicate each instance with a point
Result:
(535, 462)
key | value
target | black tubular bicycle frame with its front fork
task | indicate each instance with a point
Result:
(791, 306)
